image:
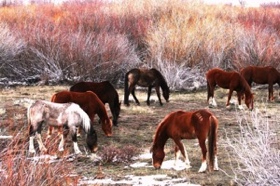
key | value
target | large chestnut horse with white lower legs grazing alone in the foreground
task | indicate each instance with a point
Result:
(178, 125)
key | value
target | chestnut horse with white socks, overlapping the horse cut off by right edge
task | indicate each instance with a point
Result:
(232, 81)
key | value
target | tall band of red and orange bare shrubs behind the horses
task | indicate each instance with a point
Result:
(96, 40)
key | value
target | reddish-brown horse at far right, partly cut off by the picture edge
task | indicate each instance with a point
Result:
(262, 75)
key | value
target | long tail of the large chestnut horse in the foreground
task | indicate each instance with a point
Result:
(212, 140)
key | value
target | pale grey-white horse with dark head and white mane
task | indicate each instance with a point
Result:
(68, 115)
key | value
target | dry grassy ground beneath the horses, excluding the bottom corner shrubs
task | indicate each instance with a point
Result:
(137, 125)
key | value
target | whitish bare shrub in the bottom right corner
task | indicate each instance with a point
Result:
(255, 150)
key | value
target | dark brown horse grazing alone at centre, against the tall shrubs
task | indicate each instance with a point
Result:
(146, 78)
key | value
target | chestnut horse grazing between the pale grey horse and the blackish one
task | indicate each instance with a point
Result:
(90, 103)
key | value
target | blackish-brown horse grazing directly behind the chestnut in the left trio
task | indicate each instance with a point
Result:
(105, 92)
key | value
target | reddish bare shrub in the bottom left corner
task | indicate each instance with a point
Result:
(17, 169)
